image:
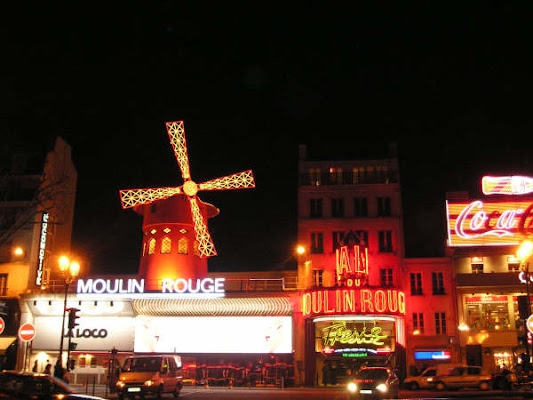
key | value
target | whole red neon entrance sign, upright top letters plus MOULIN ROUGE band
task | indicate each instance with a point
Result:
(353, 297)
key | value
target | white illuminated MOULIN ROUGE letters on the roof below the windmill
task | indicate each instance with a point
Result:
(134, 286)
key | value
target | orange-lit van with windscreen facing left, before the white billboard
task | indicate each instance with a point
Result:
(150, 375)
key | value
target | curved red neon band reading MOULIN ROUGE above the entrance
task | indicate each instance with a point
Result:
(353, 301)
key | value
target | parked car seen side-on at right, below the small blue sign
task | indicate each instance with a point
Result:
(463, 377)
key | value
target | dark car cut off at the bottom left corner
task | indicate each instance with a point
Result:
(19, 385)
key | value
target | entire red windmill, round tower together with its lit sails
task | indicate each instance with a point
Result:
(176, 241)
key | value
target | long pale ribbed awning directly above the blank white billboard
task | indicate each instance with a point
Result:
(214, 307)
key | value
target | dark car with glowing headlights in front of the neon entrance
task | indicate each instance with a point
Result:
(375, 382)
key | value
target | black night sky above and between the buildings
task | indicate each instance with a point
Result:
(452, 86)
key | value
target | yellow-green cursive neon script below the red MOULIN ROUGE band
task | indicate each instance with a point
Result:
(340, 333)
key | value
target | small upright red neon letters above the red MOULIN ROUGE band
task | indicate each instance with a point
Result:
(348, 272)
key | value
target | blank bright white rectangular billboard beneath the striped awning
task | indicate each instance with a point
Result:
(208, 335)
